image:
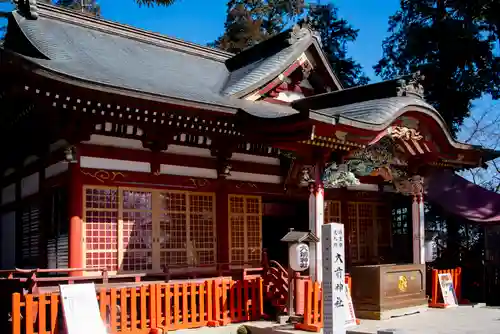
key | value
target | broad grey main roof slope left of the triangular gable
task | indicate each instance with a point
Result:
(97, 54)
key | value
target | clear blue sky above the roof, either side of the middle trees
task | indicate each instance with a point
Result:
(203, 21)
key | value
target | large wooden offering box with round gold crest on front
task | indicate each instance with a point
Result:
(383, 291)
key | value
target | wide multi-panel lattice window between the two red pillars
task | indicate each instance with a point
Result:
(145, 230)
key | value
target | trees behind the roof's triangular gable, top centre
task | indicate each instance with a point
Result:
(250, 22)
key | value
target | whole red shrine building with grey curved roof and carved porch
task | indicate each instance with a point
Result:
(138, 153)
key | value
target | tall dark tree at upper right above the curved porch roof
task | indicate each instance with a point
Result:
(453, 46)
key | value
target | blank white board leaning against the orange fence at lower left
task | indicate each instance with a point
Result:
(81, 310)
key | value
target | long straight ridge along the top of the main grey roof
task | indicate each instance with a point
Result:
(141, 35)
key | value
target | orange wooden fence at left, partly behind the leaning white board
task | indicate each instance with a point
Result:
(170, 306)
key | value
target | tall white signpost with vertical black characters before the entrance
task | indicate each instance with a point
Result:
(334, 292)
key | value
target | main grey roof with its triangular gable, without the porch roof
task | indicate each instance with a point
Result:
(121, 56)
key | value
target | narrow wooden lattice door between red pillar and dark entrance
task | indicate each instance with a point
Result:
(245, 218)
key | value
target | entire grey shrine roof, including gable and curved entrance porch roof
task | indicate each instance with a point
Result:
(136, 61)
